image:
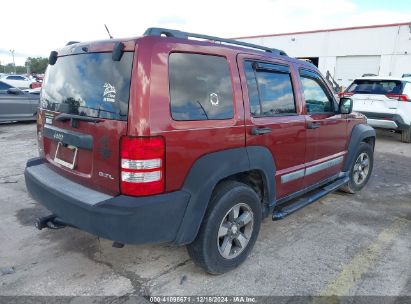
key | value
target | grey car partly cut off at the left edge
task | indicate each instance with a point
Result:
(17, 105)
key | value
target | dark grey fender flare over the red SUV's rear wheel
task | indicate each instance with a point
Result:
(210, 169)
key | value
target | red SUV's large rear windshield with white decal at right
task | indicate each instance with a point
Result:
(89, 85)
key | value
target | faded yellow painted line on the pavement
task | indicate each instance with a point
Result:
(352, 272)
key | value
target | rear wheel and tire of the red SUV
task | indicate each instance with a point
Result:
(213, 252)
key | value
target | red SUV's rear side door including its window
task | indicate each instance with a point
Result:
(272, 117)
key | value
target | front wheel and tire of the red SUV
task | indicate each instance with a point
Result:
(361, 169)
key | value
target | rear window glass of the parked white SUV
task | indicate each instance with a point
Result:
(362, 86)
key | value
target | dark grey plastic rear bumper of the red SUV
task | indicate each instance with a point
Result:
(125, 219)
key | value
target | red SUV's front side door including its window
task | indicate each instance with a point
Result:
(326, 130)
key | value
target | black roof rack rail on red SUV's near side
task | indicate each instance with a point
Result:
(156, 31)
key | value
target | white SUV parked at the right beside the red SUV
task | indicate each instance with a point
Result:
(386, 101)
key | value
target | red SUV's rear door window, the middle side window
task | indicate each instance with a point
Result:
(270, 89)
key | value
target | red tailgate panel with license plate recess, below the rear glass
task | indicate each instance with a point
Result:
(88, 154)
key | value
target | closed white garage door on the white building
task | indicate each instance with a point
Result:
(350, 67)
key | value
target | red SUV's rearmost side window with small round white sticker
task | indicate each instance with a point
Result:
(200, 87)
